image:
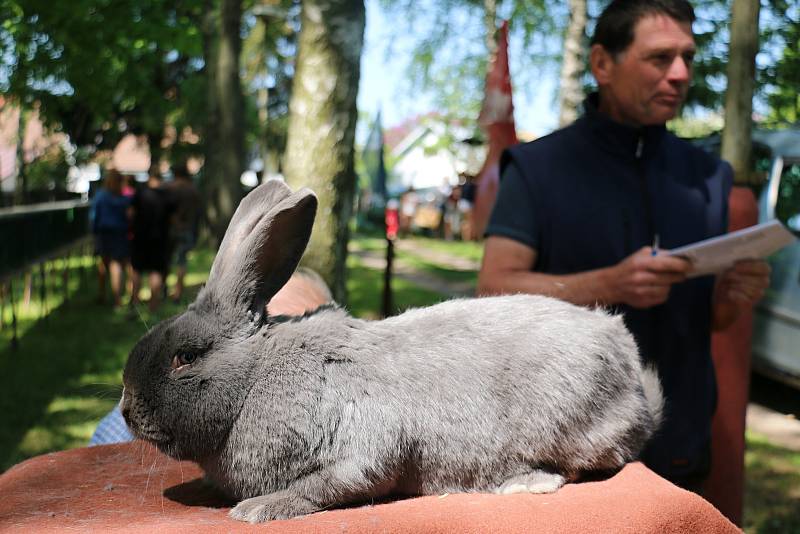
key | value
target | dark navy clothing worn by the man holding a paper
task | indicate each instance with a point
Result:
(591, 194)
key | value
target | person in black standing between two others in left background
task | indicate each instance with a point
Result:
(151, 211)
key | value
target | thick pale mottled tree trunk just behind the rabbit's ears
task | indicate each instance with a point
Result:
(322, 121)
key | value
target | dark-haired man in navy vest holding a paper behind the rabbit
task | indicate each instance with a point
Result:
(582, 214)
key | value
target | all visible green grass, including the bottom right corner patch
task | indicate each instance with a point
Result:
(66, 373)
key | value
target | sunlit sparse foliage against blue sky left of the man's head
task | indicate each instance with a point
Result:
(449, 61)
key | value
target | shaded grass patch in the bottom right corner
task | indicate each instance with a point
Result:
(772, 488)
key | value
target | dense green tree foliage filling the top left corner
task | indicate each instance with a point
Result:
(100, 69)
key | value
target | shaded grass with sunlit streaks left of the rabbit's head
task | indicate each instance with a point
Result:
(66, 372)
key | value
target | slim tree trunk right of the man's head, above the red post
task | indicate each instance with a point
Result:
(736, 137)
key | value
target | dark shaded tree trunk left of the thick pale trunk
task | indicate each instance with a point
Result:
(224, 136)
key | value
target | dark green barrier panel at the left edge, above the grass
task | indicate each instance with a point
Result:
(35, 233)
